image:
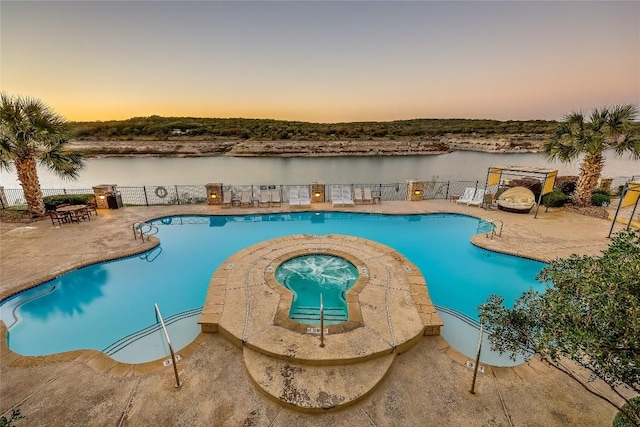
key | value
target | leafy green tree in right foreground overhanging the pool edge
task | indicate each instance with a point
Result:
(589, 313)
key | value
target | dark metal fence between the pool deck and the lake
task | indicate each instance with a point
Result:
(152, 195)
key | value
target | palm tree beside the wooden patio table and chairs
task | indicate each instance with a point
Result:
(31, 132)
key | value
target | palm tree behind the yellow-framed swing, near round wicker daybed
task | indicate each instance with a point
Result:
(607, 128)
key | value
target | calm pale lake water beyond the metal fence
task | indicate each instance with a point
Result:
(459, 165)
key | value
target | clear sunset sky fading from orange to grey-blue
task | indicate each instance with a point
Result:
(325, 61)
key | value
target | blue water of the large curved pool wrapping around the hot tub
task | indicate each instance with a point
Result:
(110, 306)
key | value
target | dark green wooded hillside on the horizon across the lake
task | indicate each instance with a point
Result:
(165, 128)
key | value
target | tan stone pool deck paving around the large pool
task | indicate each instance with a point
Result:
(426, 385)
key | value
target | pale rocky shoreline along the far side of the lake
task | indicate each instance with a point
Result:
(183, 147)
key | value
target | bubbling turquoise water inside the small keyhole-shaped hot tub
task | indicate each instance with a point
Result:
(310, 276)
